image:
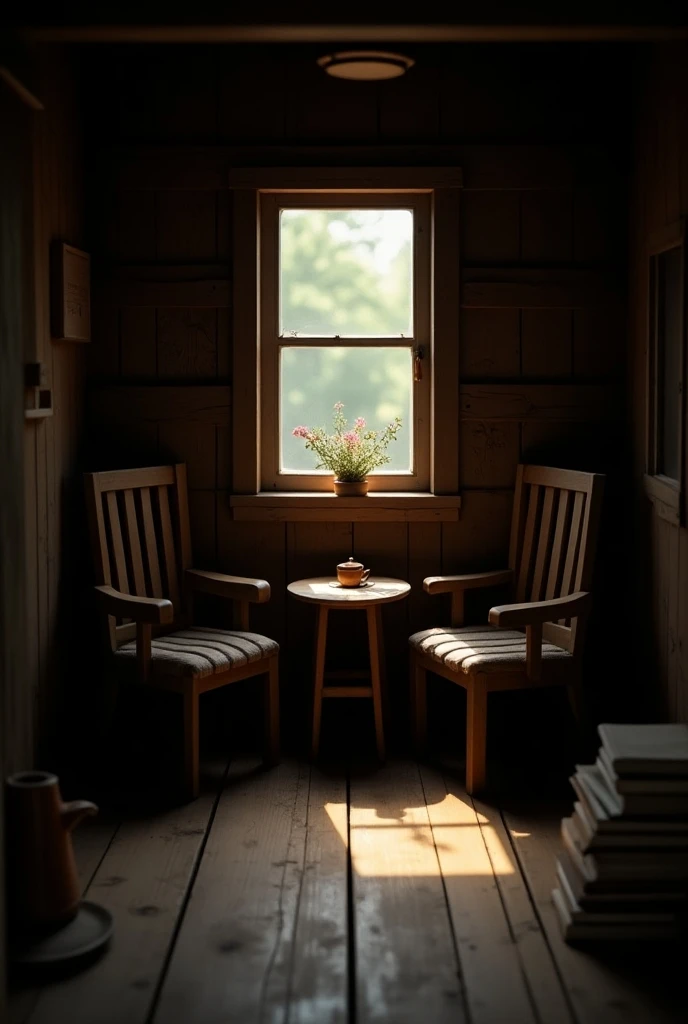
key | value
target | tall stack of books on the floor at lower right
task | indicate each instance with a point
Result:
(624, 873)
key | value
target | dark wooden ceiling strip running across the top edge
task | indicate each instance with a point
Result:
(490, 21)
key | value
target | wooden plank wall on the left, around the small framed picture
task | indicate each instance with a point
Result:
(54, 501)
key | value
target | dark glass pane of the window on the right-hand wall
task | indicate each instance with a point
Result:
(669, 360)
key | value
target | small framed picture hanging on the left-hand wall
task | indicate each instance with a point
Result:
(71, 293)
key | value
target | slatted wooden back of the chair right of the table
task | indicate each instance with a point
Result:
(553, 540)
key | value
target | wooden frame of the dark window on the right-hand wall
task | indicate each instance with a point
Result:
(667, 494)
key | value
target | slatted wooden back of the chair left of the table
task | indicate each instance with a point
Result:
(141, 537)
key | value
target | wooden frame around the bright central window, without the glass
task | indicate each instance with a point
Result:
(443, 188)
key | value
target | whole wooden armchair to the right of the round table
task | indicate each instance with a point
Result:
(551, 559)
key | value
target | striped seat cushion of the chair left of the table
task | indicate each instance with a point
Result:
(201, 652)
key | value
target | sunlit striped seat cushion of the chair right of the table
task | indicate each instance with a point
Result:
(480, 649)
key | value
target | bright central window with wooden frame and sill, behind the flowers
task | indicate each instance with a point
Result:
(346, 289)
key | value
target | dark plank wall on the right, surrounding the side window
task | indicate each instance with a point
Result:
(660, 198)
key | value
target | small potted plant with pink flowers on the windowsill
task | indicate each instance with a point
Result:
(351, 453)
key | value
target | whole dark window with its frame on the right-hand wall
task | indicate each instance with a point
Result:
(666, 372)
